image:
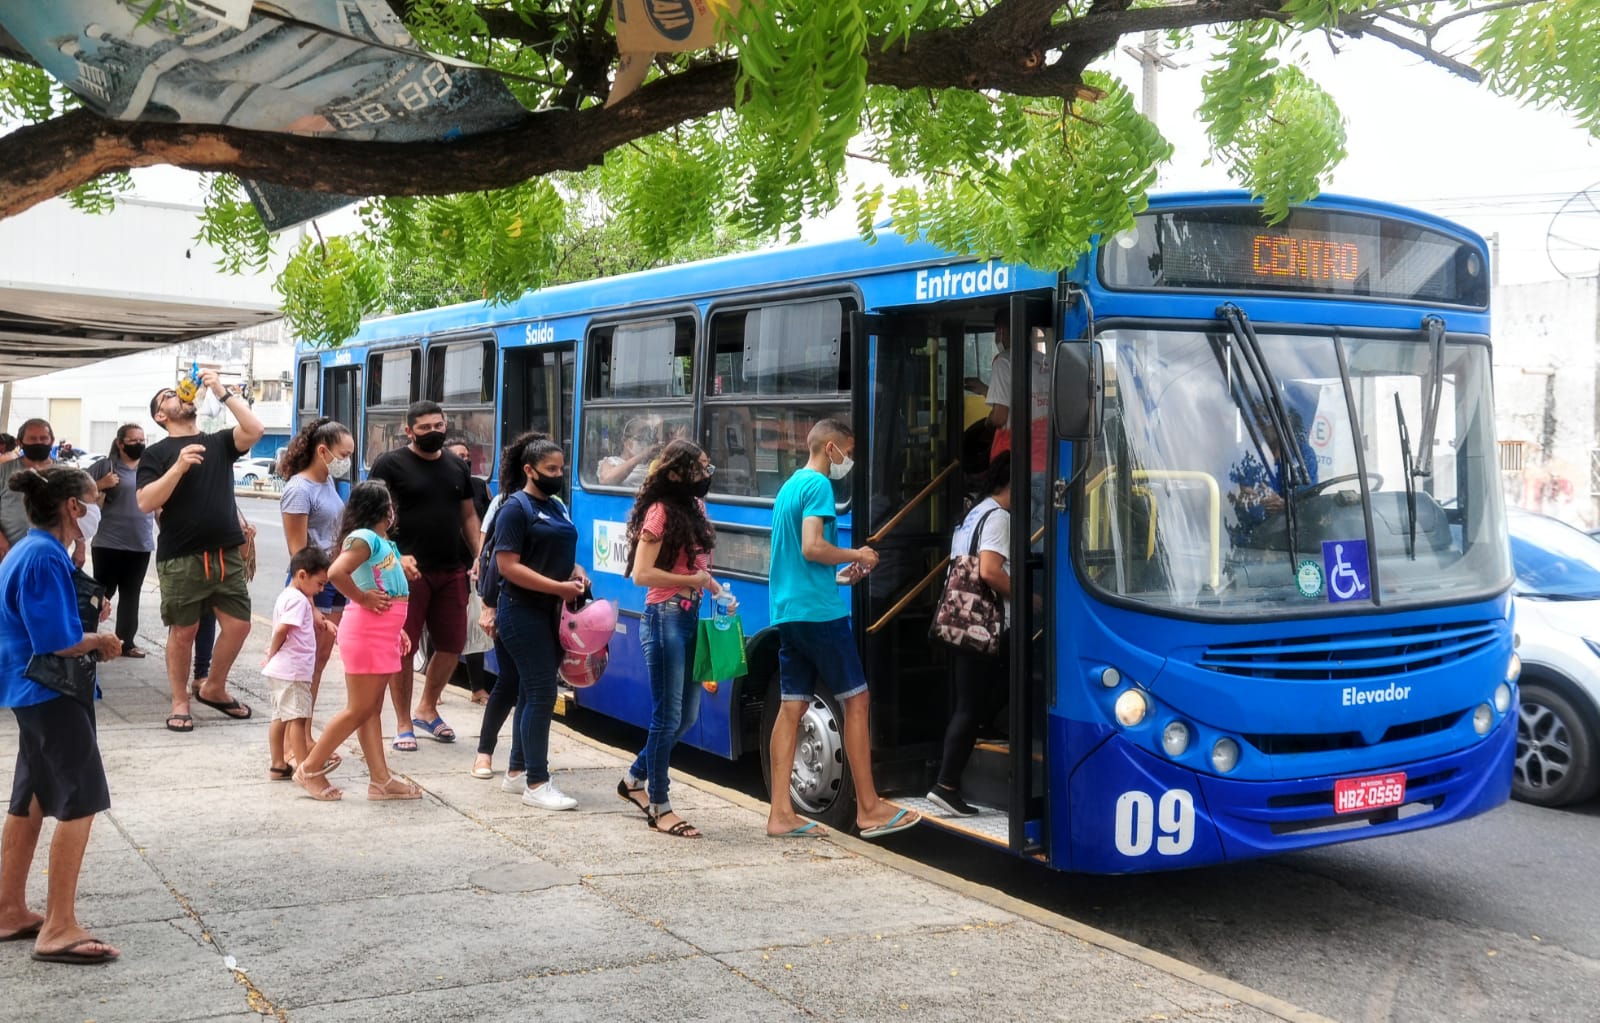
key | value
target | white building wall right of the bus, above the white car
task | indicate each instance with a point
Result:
(1546, 379)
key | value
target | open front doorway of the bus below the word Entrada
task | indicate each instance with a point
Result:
(910, 494)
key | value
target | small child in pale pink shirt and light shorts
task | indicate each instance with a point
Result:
(292, 659)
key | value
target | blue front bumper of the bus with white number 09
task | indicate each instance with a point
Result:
(1132, 811)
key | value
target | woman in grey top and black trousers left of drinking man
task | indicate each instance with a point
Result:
(127, 536)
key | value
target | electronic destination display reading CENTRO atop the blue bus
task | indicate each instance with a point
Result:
(1313, 252)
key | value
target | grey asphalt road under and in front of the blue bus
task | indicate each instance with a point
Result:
(1494, 920)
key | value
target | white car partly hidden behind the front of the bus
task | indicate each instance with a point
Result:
(1558, 598)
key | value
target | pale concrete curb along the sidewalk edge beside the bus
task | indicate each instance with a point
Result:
(993, 897)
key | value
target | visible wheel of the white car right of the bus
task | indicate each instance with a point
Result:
(1554, 750)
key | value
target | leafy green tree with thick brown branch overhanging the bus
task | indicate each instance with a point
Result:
(1022, 150)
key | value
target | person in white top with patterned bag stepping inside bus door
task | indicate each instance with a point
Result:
(978, 680)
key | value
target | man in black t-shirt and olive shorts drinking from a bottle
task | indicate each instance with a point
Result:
(190, 479)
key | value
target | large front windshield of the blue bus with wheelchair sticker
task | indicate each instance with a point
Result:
(1191, 500)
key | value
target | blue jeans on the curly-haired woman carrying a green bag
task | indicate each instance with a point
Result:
(668, 640)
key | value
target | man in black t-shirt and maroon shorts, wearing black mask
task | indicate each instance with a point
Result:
(438, 534)
